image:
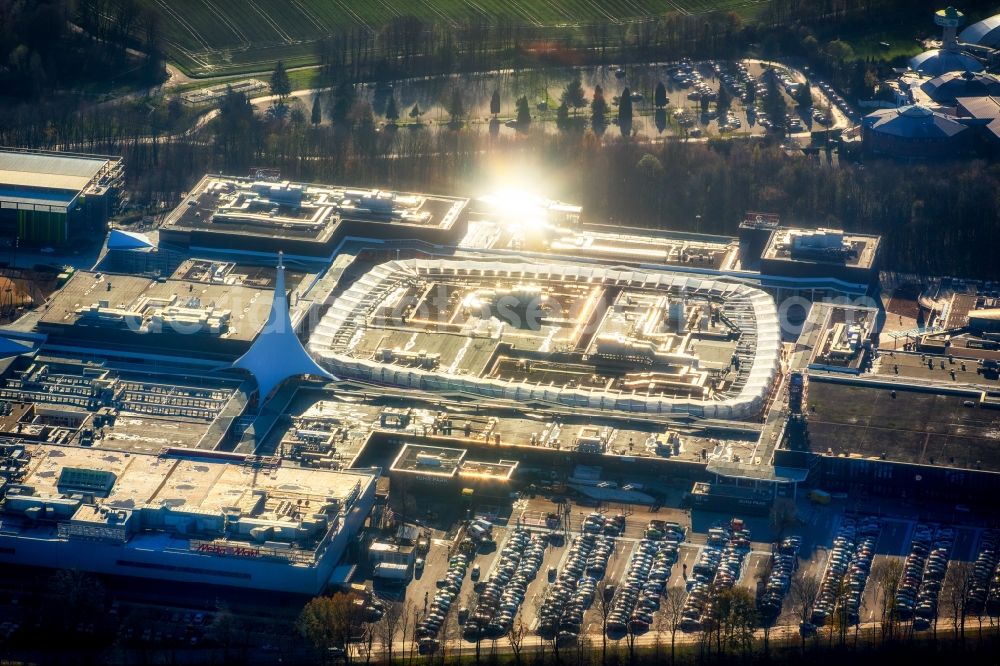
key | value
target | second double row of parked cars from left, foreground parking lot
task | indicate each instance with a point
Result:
(501, 596)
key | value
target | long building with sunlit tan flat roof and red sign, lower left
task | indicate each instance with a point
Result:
(200, 517)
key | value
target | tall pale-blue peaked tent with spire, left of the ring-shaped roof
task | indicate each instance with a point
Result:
(277, 354)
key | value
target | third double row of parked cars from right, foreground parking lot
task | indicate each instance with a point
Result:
(849, 565)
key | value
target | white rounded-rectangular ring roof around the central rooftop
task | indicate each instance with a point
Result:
(348, 314)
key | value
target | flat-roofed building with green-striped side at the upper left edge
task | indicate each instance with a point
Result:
(45, 196)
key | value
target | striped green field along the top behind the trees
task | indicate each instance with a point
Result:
(207, 37)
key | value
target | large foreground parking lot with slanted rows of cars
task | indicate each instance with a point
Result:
(548, 574)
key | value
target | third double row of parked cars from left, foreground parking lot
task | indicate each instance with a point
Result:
(562, 610)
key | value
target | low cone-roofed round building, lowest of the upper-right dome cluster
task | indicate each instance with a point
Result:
(914, 132)
